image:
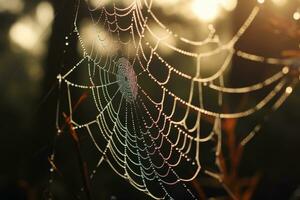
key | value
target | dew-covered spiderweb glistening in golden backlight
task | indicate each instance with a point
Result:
(145, 112)
